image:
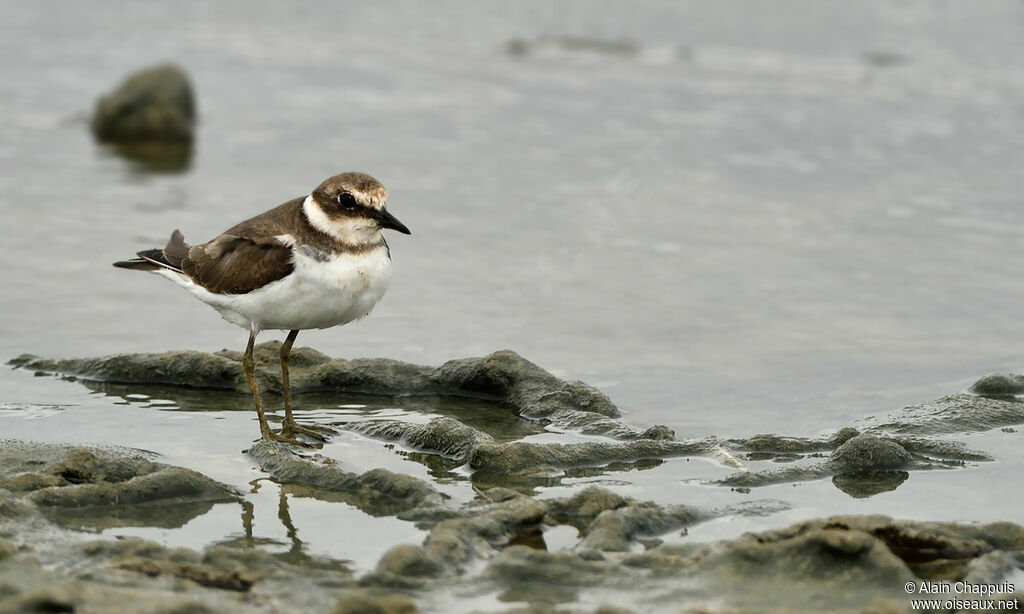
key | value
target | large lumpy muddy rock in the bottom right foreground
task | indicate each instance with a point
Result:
(836, 564)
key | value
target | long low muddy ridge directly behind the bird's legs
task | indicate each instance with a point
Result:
(530, 391)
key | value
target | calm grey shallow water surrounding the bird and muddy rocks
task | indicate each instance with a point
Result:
(730, 220)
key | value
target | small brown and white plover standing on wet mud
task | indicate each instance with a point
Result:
(315, 262)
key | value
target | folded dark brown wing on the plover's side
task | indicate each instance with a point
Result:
(232, 265)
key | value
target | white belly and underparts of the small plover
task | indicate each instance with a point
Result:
(316, 295)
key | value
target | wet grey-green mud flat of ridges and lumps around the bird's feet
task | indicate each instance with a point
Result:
(493, 550)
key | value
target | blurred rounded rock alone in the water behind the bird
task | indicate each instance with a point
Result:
(156, 105)
